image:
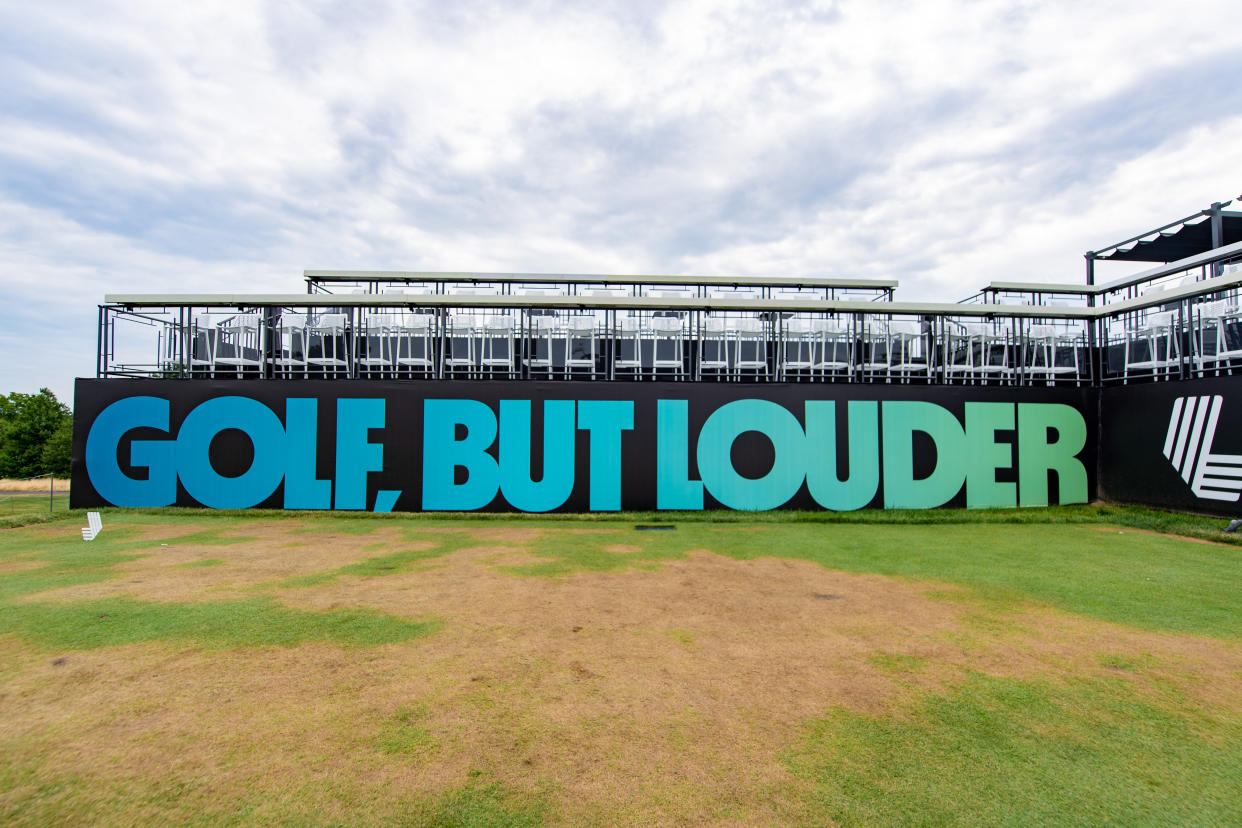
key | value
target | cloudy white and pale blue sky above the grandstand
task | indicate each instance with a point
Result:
(156, 147)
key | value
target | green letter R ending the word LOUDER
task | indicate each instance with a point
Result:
(1036, 456)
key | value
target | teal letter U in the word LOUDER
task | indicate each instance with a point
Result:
(822, 455)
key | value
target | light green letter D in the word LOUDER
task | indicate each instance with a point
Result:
(902, 419)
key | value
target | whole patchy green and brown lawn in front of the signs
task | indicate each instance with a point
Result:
(1040, 667)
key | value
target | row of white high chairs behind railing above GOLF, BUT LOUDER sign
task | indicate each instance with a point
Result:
(566, 344)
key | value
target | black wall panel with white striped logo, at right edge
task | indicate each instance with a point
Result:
(1176, 445)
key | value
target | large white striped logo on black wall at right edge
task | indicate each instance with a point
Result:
(1189, 448)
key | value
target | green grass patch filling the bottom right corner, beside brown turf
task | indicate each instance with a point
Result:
(1009, 753)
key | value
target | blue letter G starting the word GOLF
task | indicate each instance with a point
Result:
(160, 488)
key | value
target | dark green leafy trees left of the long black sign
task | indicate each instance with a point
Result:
(37, 435)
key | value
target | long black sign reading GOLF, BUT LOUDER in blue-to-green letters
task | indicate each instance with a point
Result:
(578, 446)
